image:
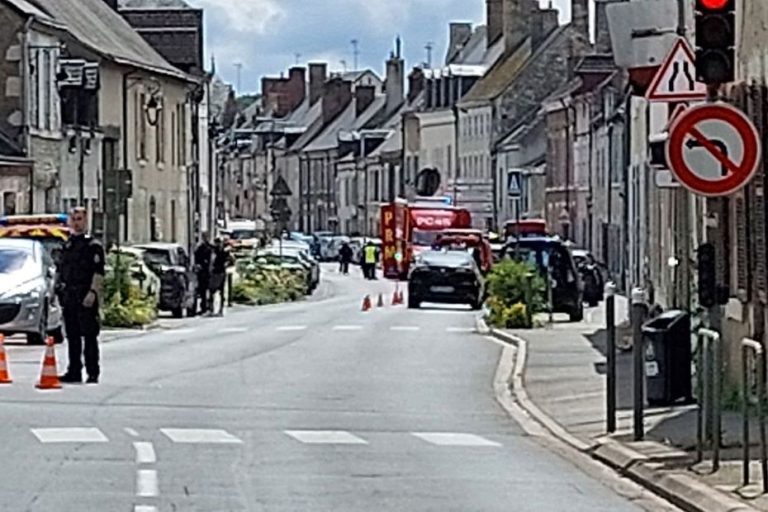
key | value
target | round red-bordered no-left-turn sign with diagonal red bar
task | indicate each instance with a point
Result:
(713, 149)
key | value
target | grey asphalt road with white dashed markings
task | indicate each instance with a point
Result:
(304, 407)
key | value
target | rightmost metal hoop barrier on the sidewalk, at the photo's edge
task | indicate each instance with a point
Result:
(749, 346)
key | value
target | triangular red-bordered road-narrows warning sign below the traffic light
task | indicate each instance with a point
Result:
(676, 78)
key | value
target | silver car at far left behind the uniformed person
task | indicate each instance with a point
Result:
(28, 302)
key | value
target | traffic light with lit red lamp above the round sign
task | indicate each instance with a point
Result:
(715, 41)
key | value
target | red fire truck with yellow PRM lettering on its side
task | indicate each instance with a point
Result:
(409, 228)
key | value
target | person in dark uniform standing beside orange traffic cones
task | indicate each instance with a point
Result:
(81, 281)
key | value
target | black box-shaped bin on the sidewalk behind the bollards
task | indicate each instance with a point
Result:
(667, 347)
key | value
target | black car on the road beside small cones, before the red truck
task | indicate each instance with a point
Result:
(445, 276)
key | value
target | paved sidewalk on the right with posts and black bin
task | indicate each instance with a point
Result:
(564, 378)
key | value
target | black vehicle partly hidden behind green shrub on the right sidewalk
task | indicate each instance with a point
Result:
(552, 257)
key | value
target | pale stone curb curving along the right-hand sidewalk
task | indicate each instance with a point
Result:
(679, 489)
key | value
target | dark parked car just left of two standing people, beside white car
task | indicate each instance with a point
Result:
(178, 282)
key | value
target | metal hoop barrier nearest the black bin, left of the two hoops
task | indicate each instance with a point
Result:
(709, 394)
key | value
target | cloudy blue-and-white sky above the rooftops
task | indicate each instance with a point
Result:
(265, 36)
